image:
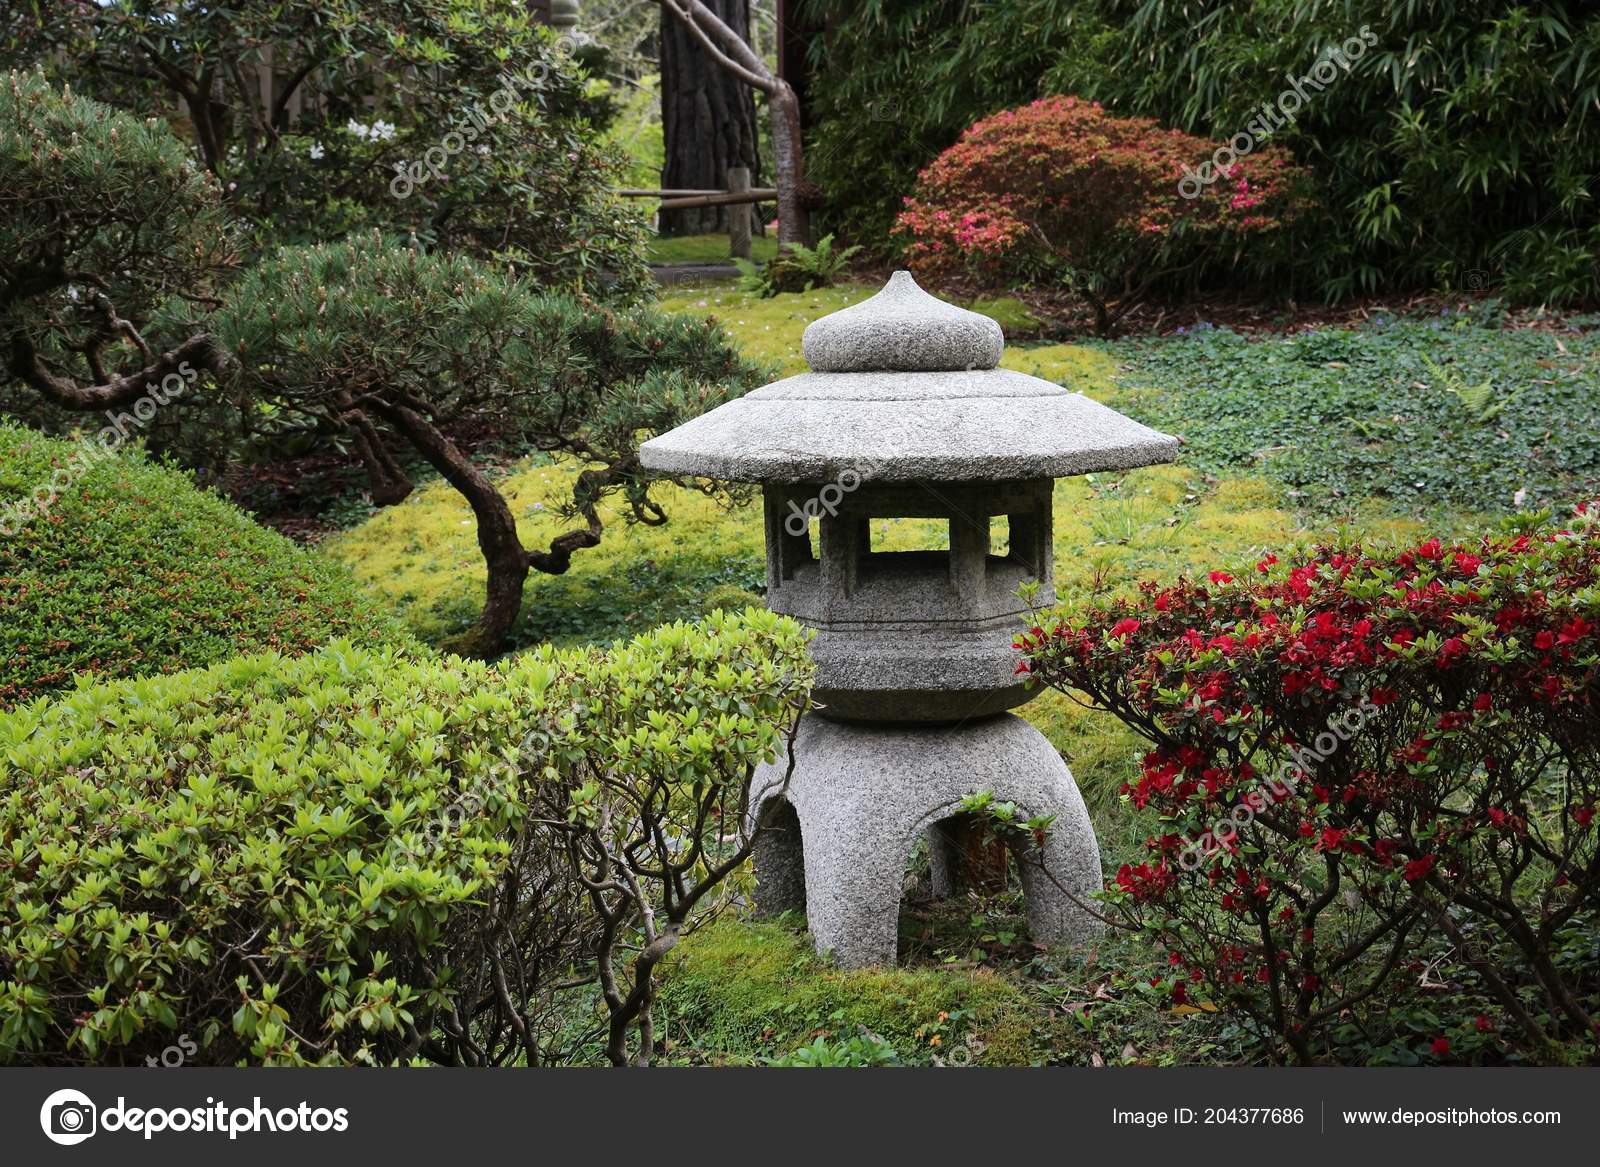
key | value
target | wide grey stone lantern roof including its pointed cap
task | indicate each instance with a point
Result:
(906, 388)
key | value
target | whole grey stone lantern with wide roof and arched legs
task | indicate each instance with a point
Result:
(906, 414)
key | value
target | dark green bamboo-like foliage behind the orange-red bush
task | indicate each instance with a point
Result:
(1460, 153)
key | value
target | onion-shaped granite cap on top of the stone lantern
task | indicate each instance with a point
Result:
(903, 331)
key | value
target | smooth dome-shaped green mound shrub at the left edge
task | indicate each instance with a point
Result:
(132, 569)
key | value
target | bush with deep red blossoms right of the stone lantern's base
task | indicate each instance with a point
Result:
(1374, 780)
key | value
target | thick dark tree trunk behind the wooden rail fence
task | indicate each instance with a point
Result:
(708, 121)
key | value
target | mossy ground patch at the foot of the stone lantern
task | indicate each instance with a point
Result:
(740, 993)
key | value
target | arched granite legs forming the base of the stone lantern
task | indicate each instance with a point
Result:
(860, 798)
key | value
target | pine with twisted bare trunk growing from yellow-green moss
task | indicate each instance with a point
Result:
(406, 350)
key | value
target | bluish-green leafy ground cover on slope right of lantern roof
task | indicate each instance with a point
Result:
(1434, 414)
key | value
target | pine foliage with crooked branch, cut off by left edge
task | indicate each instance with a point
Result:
(111, 247)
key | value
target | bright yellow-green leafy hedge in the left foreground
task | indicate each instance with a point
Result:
(314, 860)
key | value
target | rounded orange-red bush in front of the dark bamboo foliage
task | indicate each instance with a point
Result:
(1065, 191)
